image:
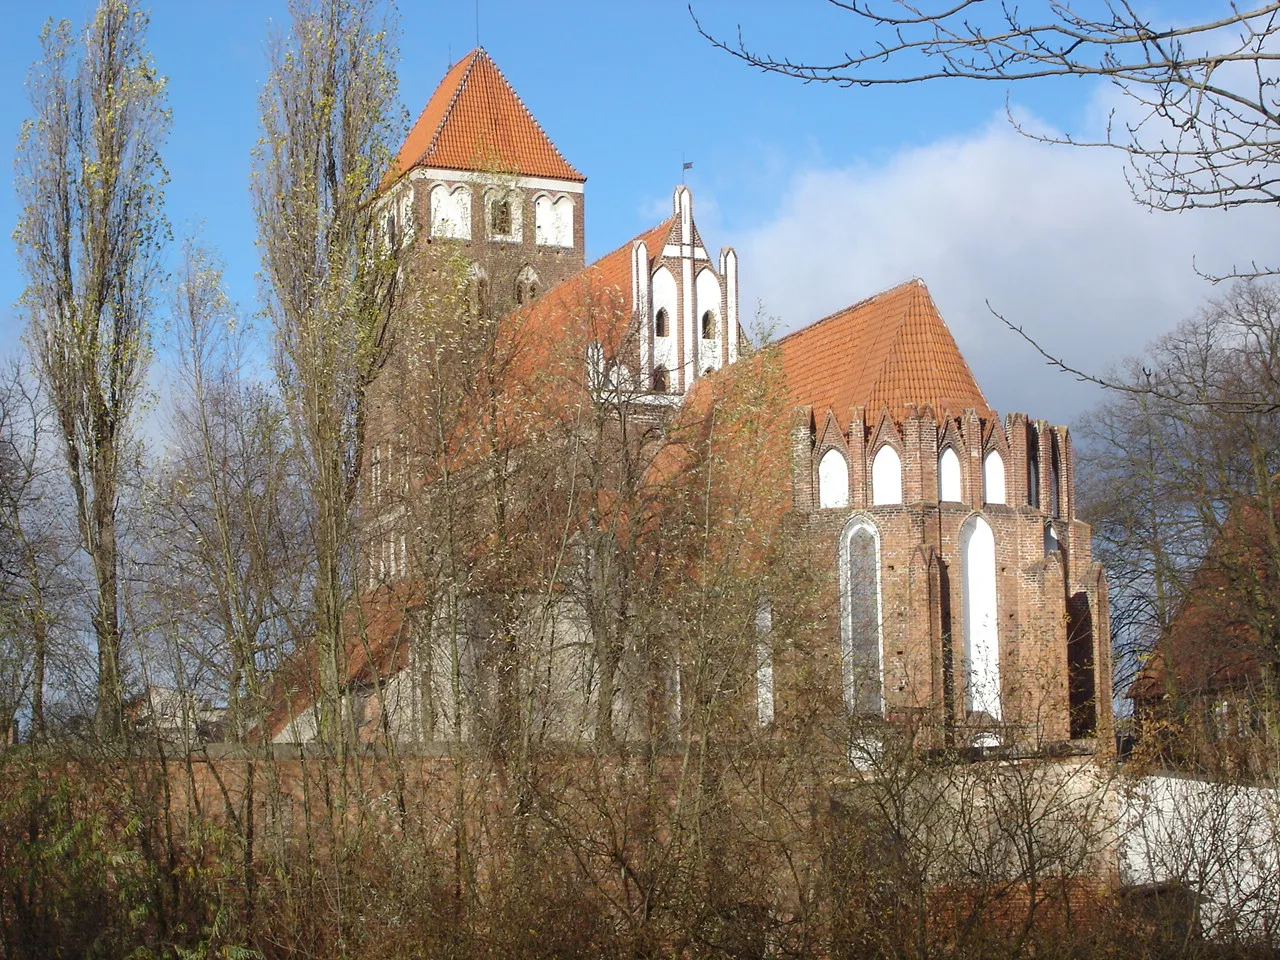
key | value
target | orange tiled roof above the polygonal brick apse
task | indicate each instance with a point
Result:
(892, 350)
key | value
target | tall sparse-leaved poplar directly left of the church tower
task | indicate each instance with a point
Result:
(330, 122)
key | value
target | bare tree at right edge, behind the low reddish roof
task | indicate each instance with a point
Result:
(1171, 469)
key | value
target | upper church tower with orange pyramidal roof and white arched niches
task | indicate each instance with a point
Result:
(478, 170)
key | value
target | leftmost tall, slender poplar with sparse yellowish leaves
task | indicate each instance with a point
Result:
(90, 180)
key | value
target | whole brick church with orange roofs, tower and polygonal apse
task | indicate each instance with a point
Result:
(950, 583)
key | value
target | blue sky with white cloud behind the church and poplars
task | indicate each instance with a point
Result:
(829, 194)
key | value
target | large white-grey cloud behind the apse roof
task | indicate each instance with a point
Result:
(1049, 235)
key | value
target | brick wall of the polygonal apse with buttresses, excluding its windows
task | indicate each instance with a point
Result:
(921, 561)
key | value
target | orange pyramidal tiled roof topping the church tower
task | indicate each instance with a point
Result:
(476, 121)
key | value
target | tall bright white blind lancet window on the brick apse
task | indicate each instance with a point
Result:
(981, 628)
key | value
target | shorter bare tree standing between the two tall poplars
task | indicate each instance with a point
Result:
(227, 566)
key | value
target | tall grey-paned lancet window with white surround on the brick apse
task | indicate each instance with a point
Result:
(862, 643)
